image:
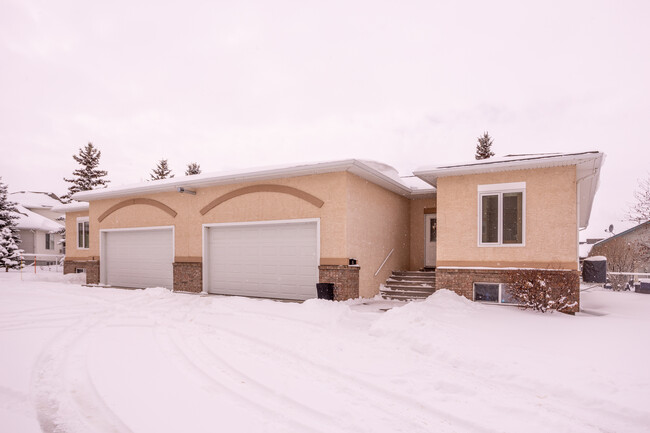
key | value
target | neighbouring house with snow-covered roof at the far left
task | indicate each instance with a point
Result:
(38, 225)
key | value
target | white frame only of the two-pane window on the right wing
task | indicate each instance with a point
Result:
(499, 189)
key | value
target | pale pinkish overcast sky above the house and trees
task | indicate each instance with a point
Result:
(241, 84)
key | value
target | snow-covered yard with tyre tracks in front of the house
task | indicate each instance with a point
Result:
(79, 359)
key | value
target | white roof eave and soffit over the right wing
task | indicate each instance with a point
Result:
(587, 164)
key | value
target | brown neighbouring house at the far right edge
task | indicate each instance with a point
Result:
(628, 251)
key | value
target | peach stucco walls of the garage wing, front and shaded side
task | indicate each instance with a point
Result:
(357, 220)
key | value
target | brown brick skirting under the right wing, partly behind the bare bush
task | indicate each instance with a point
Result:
(461, 281)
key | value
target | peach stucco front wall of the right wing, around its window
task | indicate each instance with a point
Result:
(550, 215)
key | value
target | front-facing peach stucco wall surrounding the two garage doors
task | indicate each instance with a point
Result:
(258, 206)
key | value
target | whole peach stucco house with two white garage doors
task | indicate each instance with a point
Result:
(276, 232)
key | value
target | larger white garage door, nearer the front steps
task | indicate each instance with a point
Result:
(275, 260)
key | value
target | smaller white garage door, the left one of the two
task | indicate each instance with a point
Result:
(138, 258)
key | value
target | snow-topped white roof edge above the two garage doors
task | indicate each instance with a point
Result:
(375, 172)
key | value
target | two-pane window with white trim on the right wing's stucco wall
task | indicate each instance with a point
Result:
(501, 214)
